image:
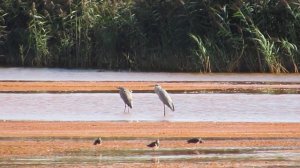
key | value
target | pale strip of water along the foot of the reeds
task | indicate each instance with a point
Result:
(56, 74)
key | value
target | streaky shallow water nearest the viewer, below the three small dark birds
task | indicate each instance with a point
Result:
(166, 155)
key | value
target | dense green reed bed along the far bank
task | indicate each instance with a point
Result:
(152, 35)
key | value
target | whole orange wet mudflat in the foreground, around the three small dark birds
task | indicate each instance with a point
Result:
(20, 139)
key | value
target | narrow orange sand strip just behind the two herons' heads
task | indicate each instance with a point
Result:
(175, 87)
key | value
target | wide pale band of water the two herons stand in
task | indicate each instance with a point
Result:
(147, 107)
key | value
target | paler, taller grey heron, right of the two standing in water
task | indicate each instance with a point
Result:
(164, 97)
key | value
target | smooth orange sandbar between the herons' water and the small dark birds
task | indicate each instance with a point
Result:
(148, 129)
